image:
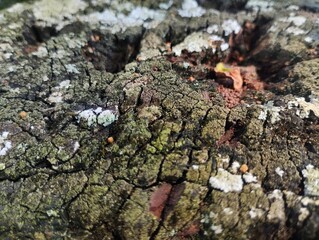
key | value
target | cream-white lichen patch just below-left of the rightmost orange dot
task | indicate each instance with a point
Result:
(226, 181)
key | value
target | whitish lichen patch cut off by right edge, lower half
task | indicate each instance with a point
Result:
(311, 175)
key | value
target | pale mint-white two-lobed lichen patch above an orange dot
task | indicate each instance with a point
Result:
(98, 116)
